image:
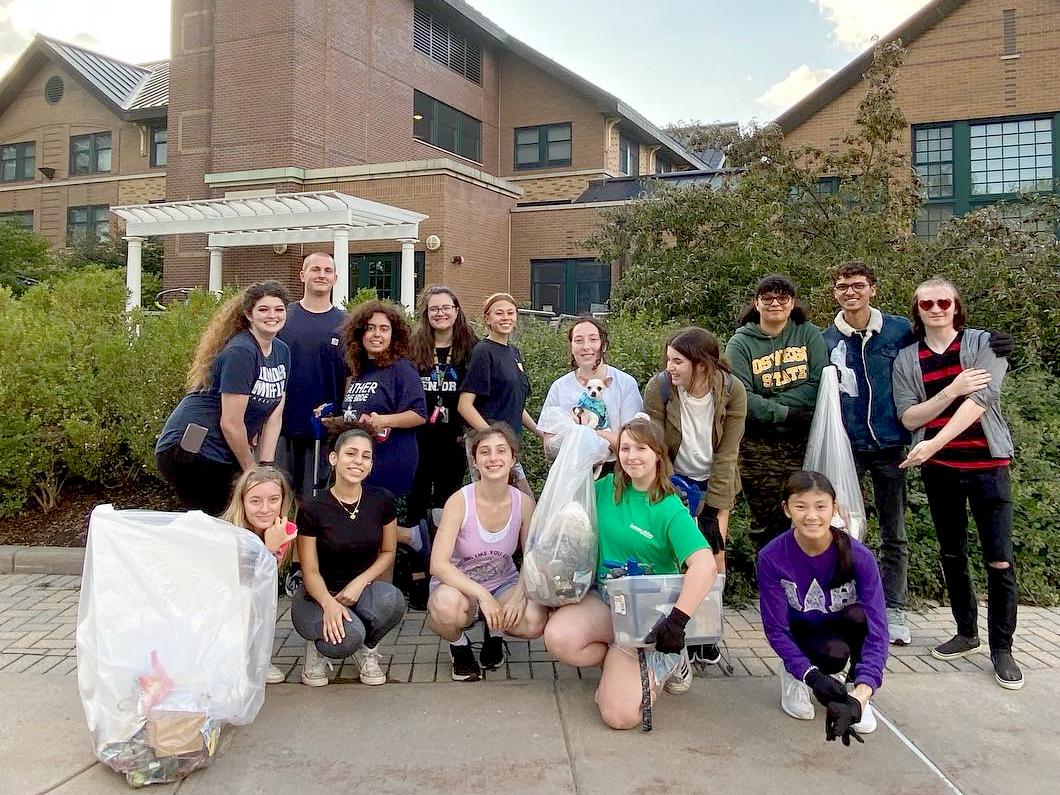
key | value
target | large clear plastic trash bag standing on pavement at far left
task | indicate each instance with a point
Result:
(175, 631)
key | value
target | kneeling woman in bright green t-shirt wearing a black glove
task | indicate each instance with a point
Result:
(640, 518)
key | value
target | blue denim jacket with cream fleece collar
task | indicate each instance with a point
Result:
(870, 417)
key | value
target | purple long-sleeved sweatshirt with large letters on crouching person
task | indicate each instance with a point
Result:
(796, 586)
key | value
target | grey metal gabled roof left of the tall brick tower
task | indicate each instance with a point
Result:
(132, 92)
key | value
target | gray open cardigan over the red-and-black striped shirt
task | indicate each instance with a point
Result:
(909, 387)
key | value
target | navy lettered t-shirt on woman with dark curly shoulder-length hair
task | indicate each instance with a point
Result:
(391, 391)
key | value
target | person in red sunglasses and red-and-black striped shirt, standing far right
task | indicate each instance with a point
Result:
(948, 394)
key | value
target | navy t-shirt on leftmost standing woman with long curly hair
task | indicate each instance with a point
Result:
(241, 368)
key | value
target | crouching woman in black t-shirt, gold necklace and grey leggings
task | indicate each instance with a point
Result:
(348, 538)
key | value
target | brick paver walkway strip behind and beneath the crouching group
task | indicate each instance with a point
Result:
(39, 615)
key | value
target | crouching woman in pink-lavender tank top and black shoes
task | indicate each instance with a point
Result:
(473, 570)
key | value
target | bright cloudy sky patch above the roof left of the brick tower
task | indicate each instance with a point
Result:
(130, 30)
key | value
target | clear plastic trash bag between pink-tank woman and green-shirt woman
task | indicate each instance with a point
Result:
(559, 564)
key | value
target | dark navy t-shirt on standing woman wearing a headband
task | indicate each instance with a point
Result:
(499, 380)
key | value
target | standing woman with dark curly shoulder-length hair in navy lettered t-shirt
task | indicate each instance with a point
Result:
(384, 393)
